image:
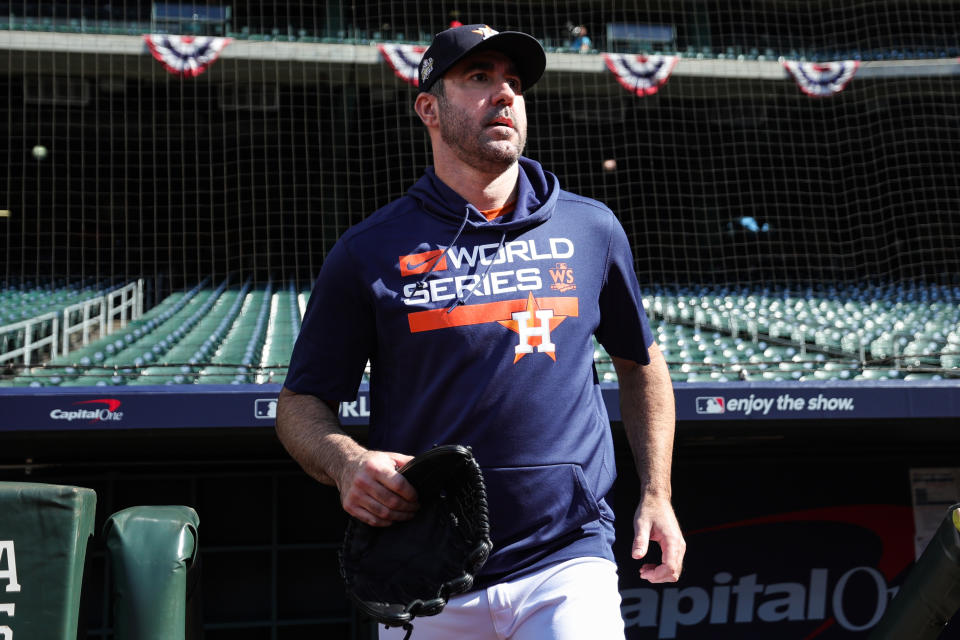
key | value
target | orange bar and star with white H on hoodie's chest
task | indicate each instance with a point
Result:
(532, 319)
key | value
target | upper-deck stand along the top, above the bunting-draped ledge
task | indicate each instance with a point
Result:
(732, 34)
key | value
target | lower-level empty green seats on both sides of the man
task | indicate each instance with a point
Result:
(244, 334)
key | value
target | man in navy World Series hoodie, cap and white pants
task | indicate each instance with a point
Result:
(475, 298)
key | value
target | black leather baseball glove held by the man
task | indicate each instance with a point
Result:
(411, 568)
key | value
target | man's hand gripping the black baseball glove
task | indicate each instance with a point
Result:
(374, 492)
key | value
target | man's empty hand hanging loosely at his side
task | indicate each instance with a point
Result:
(656, 521)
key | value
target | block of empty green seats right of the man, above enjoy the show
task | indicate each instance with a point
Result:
(849, 332)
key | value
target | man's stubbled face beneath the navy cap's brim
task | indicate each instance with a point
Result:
(483, 118)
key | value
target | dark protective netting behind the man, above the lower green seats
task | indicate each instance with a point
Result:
(245, 164)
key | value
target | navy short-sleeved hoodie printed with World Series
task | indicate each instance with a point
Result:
(479, 333)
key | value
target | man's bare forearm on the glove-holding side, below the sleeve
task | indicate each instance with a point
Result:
(311, 433)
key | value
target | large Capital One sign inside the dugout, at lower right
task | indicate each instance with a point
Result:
(823, 573)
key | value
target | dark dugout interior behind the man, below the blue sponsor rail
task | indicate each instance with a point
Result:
(792, 525)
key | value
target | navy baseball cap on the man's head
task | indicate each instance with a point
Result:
(452, 45)
